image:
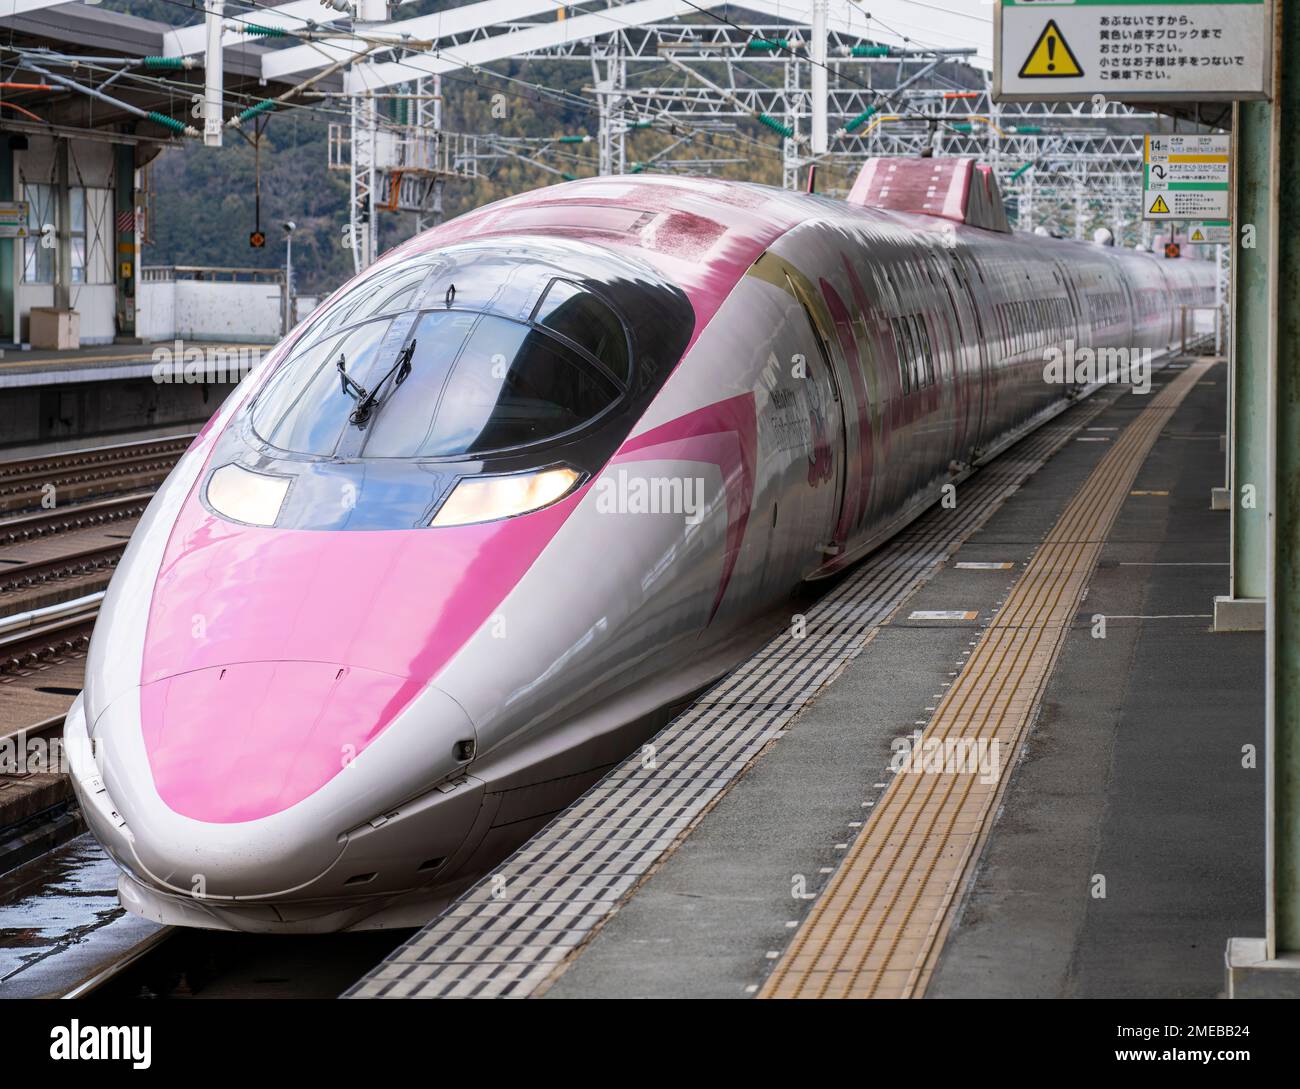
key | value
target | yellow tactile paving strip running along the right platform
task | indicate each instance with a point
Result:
(878, 929)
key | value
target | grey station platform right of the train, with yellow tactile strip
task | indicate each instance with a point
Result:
(803, 831)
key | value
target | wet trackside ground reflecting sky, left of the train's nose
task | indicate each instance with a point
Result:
(60, 921)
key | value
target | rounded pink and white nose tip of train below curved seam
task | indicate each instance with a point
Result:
(241, 780)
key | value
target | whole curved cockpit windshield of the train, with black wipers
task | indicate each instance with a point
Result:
(449, 383)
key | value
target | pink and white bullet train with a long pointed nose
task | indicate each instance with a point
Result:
(521, 489)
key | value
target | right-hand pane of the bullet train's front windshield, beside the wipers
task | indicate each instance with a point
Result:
(509, 385)
